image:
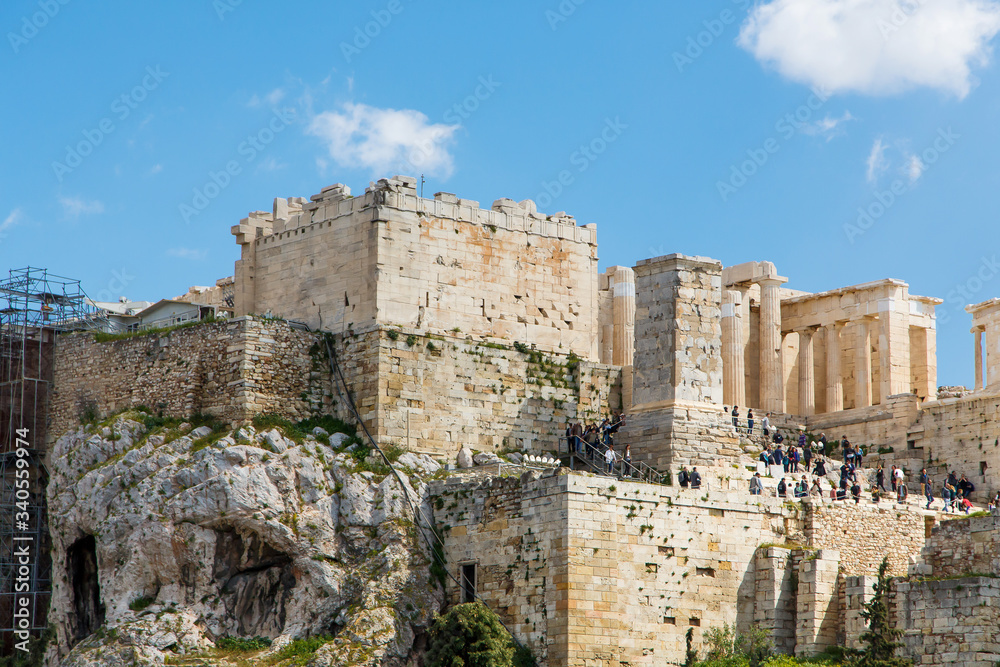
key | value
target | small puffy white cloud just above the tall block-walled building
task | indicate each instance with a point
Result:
(384, 140)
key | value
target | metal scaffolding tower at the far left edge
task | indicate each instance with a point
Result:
(34, 307)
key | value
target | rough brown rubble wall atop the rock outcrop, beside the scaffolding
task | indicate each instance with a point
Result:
(232, 369)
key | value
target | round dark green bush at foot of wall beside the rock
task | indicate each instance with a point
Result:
(470, 635)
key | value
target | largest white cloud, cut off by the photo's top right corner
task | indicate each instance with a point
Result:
(875, 47)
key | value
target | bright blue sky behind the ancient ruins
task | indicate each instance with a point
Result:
(720, 128)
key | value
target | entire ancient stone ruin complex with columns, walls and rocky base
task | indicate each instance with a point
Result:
(470, 337)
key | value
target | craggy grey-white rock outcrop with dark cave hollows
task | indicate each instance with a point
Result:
(162, 543)
